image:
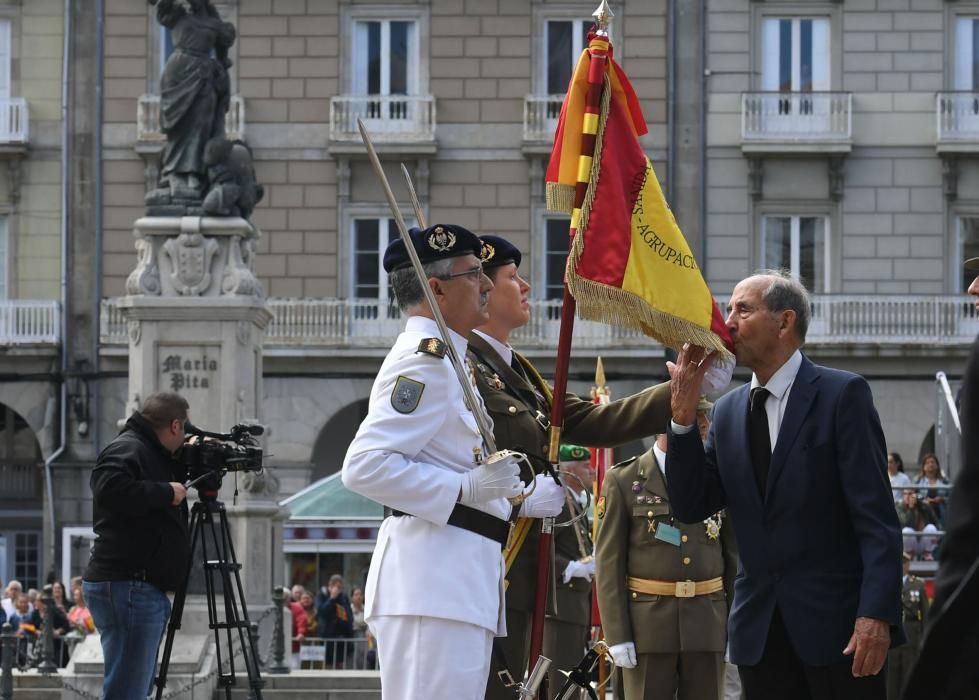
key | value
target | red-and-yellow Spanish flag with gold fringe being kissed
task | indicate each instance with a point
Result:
(628, 264)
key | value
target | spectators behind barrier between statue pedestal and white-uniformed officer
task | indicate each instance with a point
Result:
(328, 628)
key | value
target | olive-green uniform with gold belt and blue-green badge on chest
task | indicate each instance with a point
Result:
(679, 630)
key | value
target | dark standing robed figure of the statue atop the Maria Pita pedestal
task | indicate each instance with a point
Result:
(194, 99)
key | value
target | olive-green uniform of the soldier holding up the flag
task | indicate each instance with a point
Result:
(516, 399)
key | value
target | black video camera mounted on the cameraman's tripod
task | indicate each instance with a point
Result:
(214, 454)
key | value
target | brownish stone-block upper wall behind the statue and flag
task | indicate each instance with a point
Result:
(291, 59)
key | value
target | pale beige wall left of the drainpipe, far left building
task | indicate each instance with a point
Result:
(35, 220)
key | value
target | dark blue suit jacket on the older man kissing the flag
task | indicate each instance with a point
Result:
(825, 545)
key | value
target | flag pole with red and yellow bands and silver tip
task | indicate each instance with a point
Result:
(596, 82)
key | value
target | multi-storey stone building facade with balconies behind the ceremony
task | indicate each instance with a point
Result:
(831, 138)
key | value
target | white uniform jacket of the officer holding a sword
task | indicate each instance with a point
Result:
(413, 462)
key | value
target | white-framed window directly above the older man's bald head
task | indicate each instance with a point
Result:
(799, 244)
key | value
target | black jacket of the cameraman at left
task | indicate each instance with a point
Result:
(139, 533)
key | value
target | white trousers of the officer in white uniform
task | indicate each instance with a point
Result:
(431, 658)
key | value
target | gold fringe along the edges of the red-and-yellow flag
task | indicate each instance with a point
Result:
(614, 306)
